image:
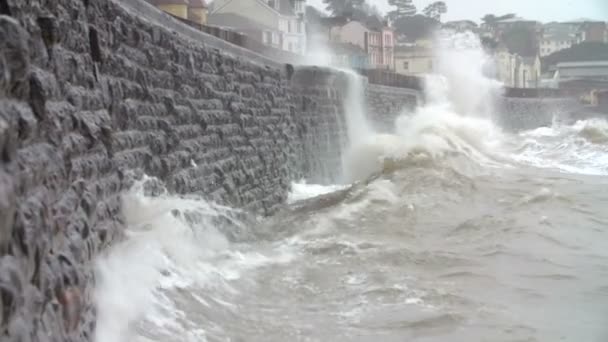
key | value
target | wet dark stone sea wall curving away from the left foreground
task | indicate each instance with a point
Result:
(94, 94)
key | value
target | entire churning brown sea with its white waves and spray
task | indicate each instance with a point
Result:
(448, 229)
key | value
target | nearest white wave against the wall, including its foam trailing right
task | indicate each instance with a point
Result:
(173, 245)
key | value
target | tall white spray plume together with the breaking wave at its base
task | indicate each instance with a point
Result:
(455, 120)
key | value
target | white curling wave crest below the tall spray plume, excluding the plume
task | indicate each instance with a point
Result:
(434, 136)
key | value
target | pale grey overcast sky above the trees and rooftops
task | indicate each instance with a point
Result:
(542, 10)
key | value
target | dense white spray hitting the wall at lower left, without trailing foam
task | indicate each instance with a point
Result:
(160, 244)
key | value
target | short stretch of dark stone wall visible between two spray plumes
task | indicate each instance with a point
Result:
(387, 103)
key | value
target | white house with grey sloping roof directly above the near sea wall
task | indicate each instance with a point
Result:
(278, 23)
